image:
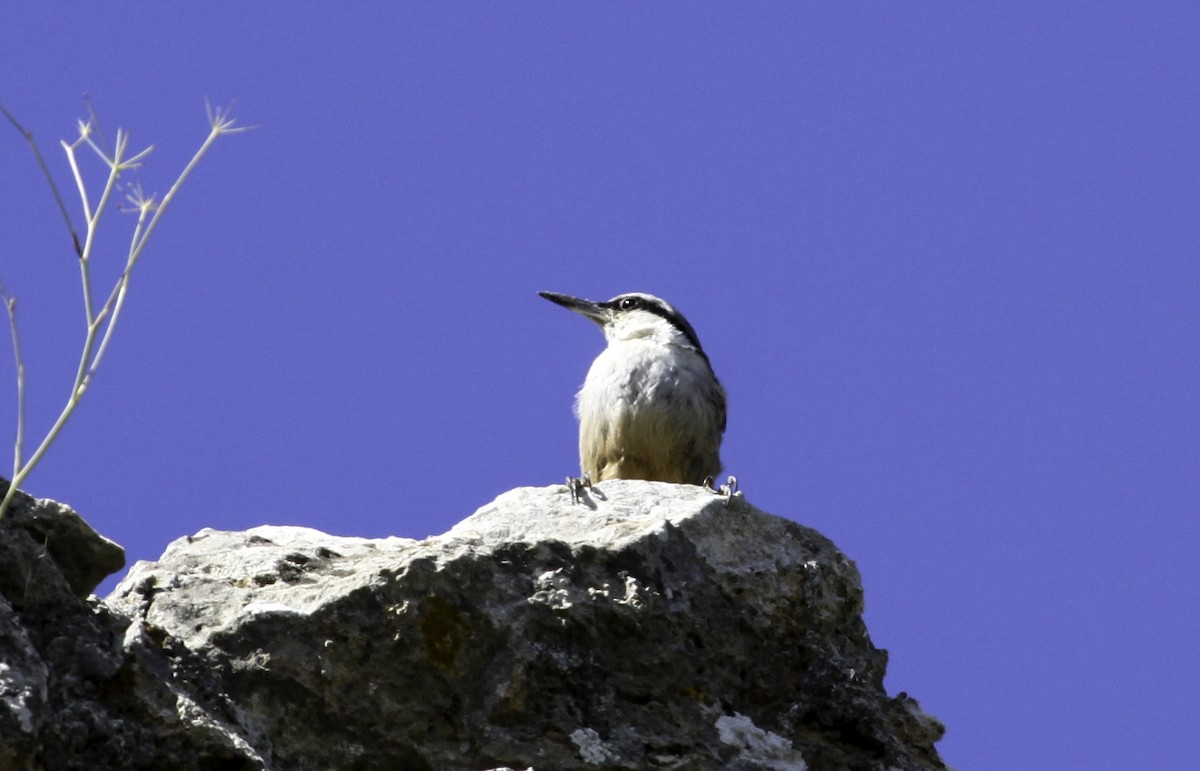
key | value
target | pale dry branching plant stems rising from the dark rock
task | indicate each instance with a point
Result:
(100, 325)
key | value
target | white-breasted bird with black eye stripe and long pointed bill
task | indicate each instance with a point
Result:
(651, 407)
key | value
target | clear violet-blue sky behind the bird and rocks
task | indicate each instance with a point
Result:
(943, 256)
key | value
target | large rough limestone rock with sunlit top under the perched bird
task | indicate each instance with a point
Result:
(653, 627)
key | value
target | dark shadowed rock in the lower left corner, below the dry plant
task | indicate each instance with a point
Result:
(73, 696)
